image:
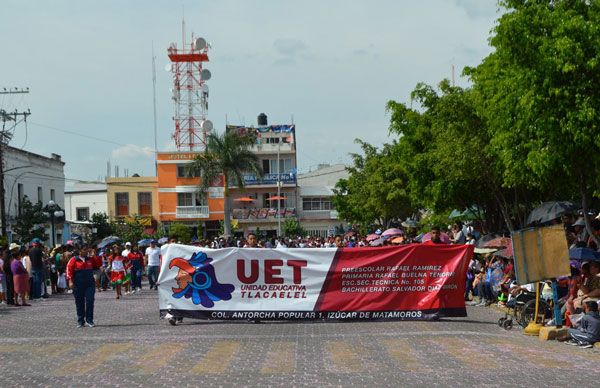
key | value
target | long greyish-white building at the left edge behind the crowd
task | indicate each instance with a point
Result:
(37, 177)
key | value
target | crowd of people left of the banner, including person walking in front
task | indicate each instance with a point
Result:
(33, 272)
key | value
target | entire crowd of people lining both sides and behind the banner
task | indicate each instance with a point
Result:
(84, 270)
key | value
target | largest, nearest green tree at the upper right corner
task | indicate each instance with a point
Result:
(540, 87)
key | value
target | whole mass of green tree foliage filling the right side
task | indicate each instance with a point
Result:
(526, 131)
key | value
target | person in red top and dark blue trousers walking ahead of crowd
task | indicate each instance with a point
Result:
(80, 274)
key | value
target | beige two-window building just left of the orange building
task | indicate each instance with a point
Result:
(131, 196)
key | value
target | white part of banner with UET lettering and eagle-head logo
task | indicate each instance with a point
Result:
(233, 279)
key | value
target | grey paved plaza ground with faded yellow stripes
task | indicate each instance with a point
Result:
(131, 346)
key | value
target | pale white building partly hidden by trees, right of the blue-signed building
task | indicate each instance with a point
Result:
(317, 215)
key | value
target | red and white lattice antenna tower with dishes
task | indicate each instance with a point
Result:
(190, 94)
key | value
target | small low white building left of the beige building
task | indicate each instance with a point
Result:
(84, 199)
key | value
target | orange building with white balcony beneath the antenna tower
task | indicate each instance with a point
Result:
(179, 197)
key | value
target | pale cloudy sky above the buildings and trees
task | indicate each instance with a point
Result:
(328, 65)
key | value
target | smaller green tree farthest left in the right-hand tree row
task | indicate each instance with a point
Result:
(375, 192)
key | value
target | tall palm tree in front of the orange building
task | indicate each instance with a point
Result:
(227, 155)
